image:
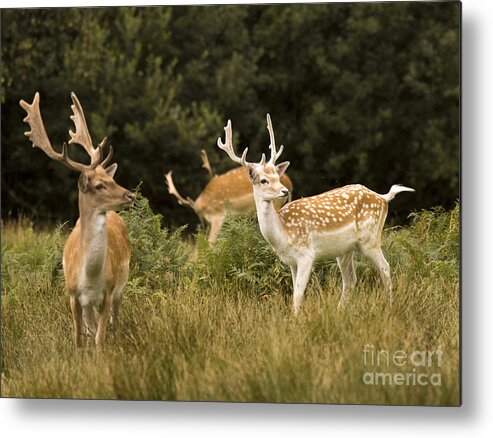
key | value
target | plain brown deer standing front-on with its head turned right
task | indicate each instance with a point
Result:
(96, 256)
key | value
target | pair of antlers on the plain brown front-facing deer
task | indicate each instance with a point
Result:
(40, 139)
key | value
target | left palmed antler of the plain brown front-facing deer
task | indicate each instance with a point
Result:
(40, 139)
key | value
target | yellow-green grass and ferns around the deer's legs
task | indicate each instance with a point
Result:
(202, 323)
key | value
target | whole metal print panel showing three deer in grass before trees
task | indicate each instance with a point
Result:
(147, 254)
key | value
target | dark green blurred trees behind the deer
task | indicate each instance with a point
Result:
(365, 93)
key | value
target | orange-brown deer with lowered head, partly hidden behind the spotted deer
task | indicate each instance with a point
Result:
(232, 189)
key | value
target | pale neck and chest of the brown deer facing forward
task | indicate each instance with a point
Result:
(94, 238)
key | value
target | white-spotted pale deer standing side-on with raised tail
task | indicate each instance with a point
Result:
(331, 225)
